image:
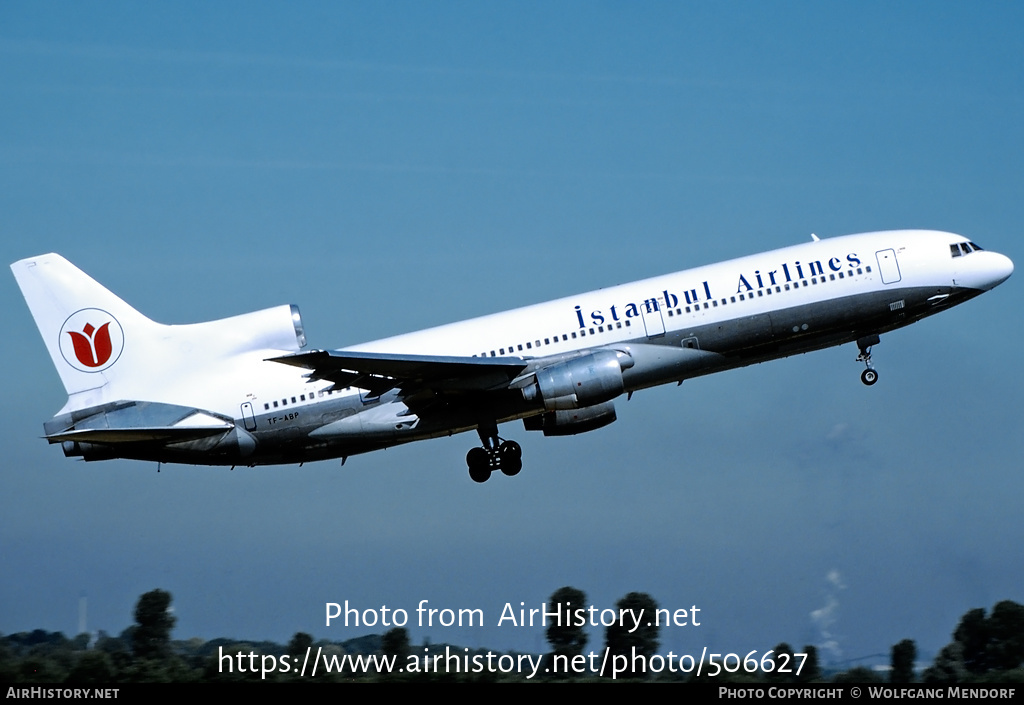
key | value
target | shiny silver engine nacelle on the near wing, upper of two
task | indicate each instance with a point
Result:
(585, 382)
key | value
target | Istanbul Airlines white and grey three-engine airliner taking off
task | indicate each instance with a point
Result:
(242, 391)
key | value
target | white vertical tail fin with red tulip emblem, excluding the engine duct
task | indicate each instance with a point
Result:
(86, 327)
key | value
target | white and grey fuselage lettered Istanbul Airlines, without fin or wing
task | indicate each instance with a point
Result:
(668, 328)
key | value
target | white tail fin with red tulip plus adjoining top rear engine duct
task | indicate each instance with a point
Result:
(105, 351)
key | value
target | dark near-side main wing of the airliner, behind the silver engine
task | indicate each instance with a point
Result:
(414, 375)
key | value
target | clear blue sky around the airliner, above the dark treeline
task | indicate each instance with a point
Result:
(390, 168)
